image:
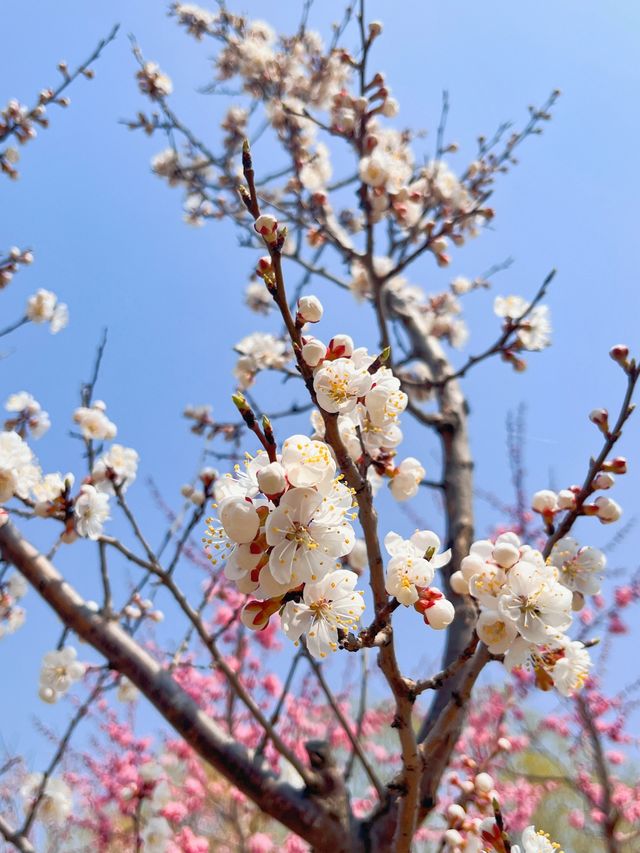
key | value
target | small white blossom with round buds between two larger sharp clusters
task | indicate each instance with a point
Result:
(410, 573)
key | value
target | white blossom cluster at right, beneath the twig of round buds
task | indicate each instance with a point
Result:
(524, 610)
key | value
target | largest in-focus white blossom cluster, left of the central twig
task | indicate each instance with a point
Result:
(282, 525)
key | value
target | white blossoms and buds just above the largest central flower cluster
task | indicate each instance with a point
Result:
(369, 401)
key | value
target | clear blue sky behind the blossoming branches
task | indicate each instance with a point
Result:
(109, 239)
